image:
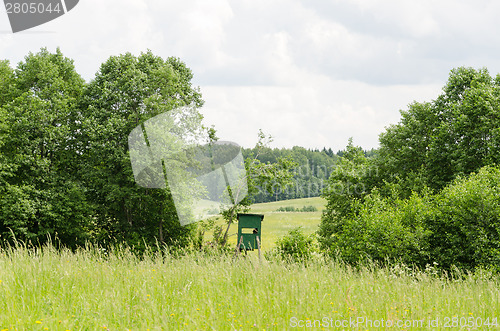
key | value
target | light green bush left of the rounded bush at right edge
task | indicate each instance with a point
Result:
(385, 229)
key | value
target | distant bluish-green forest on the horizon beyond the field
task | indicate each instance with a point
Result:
(314, 167)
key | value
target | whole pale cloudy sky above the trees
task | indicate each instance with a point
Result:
(311, 73)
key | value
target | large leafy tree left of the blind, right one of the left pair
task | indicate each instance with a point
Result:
(127, 91)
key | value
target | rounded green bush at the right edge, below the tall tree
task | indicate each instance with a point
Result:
(466, 223)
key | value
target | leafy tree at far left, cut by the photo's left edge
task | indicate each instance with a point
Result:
(40, 196)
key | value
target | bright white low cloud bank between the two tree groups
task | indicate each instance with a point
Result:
(310, 115)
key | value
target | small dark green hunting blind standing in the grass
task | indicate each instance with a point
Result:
(249, 231)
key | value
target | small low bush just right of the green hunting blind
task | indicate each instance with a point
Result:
(295, 246)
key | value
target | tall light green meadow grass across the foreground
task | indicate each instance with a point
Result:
(91, 289)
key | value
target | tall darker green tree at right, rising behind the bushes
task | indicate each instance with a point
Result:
(453, 135)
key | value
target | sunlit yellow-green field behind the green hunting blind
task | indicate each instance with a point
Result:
(277, 224)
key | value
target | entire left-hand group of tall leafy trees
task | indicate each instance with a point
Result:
(65, 172)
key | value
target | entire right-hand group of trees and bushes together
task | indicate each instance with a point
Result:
(431, 194)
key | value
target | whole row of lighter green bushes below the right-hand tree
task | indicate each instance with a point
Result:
(458, 227)
